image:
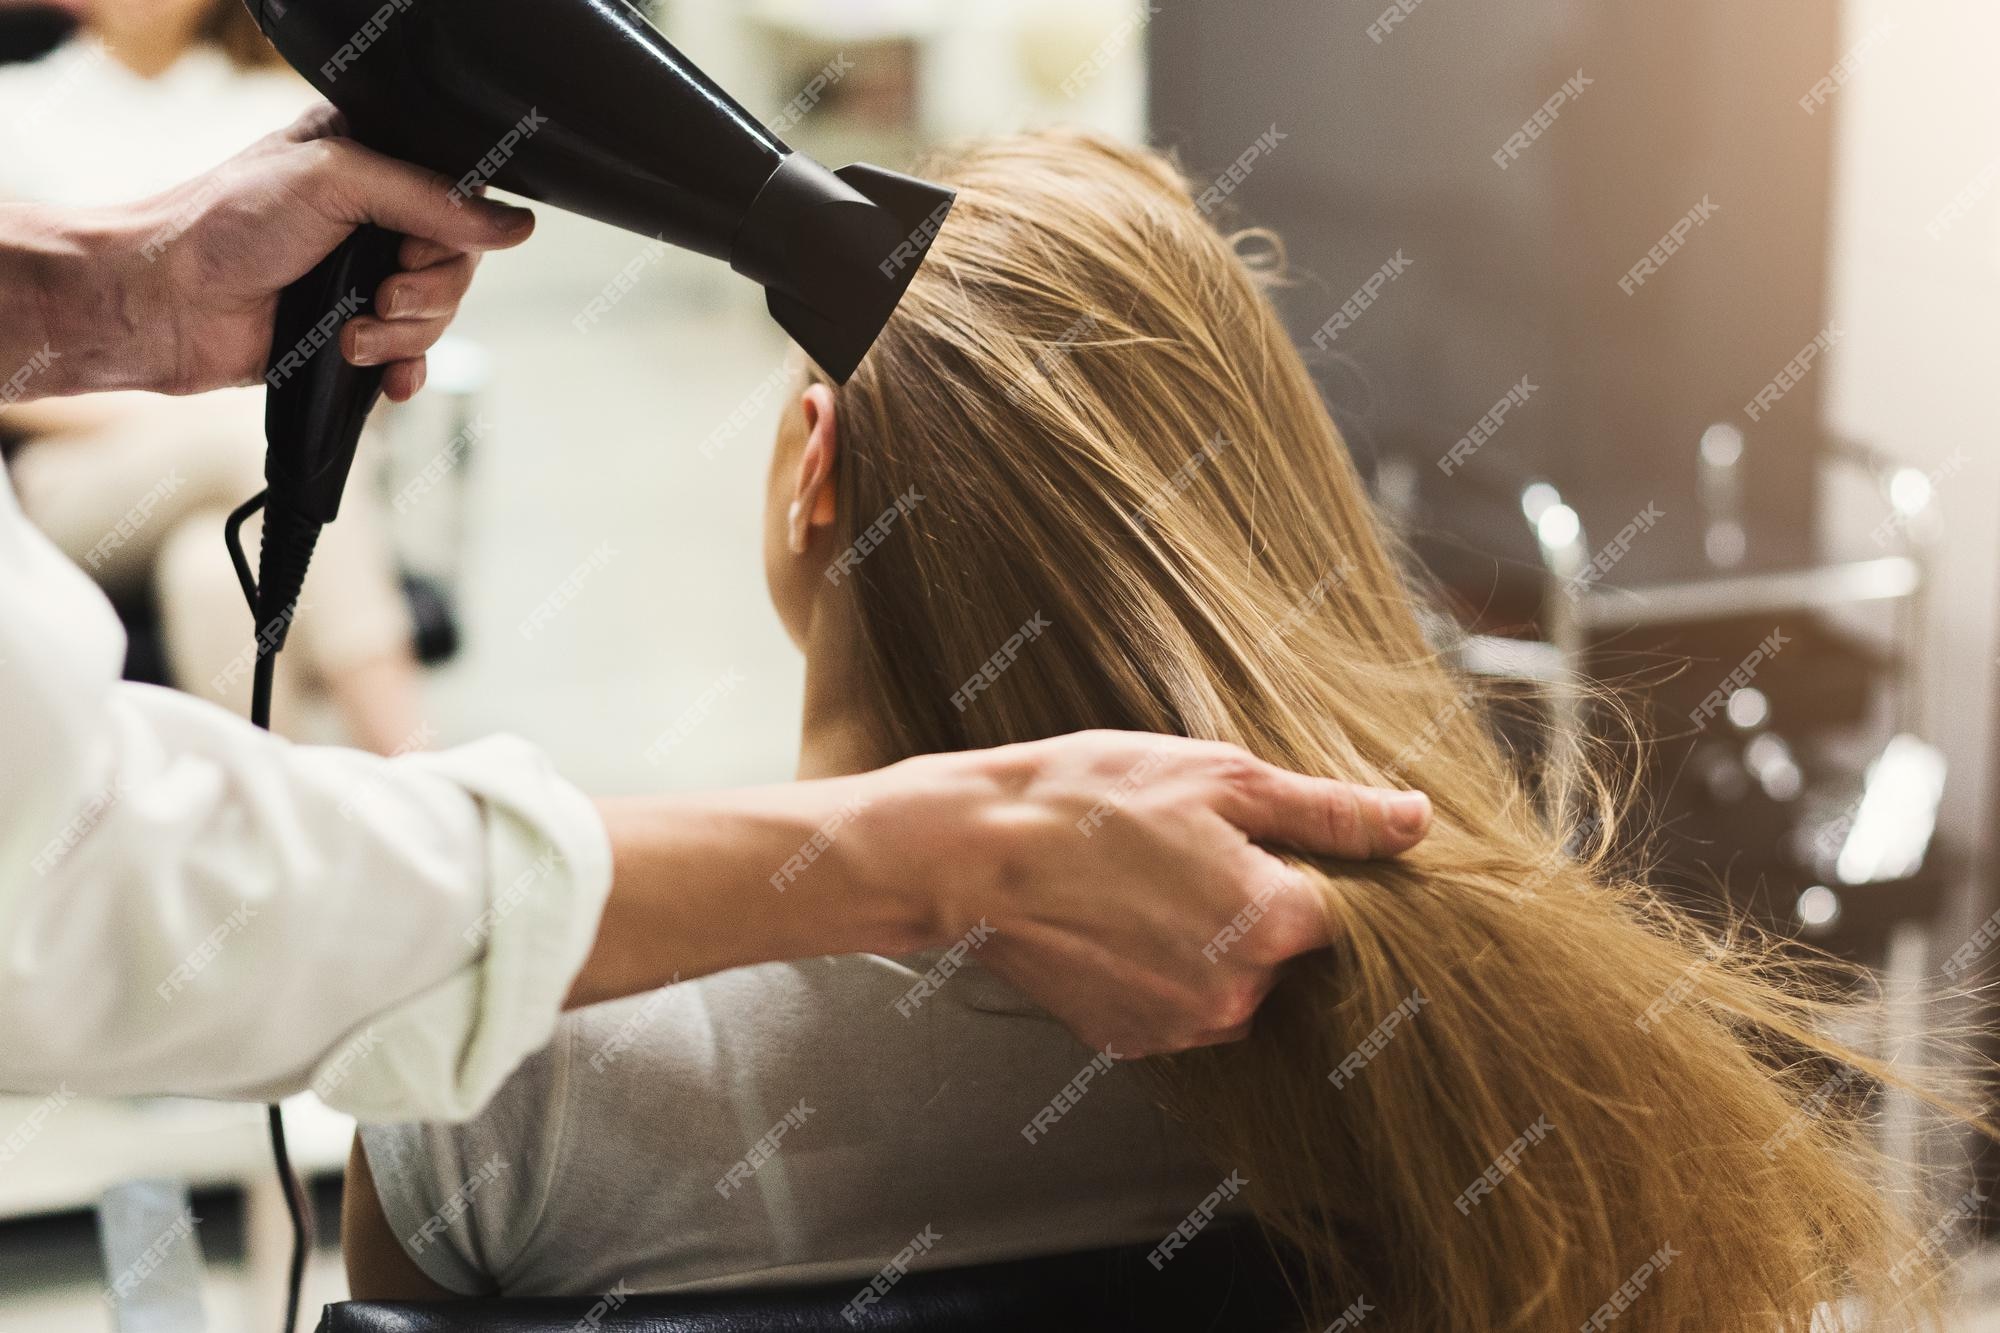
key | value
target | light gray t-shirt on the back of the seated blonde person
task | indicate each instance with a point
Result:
(787, 1124)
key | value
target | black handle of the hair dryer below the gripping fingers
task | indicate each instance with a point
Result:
(319, 403)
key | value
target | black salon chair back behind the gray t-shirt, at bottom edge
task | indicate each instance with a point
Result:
(1223, 1282)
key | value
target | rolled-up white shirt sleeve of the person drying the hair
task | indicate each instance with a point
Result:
(191, 906)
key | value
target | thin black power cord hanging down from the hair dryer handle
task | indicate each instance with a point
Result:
(285, 553)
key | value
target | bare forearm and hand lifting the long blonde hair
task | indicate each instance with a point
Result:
(1113, 878)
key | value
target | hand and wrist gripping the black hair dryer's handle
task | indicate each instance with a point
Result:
(179, 293)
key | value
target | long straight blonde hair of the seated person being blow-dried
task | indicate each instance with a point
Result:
(1519, 1092)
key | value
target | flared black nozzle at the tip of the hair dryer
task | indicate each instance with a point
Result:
(837, 251)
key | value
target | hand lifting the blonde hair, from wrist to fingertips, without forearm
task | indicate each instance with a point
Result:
(1125, 882)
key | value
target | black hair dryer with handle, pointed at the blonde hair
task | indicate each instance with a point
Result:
(581, 105)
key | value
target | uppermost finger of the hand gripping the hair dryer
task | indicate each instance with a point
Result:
(357, 185)
